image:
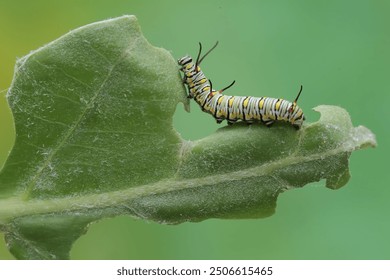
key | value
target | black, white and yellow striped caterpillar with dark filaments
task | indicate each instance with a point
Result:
(234, 108)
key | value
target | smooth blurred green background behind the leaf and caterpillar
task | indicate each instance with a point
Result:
(339, 51)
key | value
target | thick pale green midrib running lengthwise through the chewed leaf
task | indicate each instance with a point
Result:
(15, 207)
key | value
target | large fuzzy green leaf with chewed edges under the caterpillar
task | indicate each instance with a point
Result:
(94, 139)
